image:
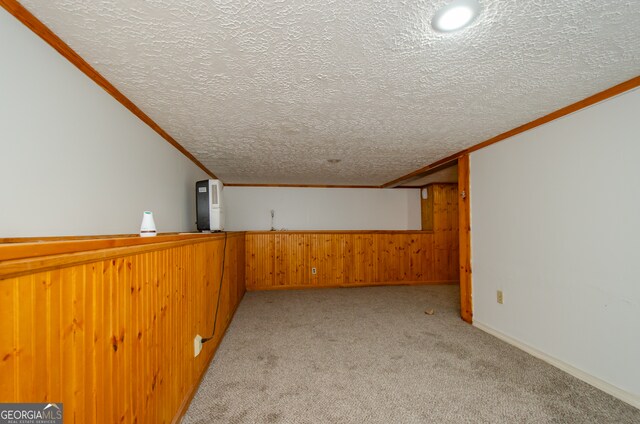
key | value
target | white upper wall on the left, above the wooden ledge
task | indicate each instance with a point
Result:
(74, 161)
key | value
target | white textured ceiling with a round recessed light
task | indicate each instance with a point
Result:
(266, 91)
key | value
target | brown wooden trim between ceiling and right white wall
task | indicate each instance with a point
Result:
(574, 107)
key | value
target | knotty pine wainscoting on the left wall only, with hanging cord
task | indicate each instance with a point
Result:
(109, 331)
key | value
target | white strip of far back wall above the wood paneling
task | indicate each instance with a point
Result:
(248, 208)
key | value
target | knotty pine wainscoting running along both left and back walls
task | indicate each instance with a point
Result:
(106, 326)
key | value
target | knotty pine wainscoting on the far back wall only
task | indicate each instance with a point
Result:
(286, 259)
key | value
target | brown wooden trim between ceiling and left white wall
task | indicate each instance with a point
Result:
(41, 30)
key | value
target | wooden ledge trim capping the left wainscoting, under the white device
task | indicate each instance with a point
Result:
(22, 258)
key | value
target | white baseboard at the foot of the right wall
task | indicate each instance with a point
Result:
(623, 395)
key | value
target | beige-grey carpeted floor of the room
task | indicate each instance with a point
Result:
(371, 355)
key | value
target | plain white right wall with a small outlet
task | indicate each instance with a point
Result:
(556, 225)
